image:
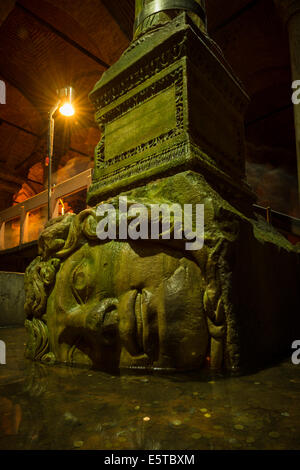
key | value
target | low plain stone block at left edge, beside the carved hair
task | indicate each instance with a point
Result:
(12, 299)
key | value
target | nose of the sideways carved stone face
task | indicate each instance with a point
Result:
(104, 319)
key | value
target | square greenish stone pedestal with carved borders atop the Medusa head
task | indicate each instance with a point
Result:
(201, 128)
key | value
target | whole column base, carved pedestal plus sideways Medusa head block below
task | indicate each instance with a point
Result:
(171, 115)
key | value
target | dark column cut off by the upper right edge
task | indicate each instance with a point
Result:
(290, 10)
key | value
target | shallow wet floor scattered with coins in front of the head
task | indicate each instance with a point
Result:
(62, 408)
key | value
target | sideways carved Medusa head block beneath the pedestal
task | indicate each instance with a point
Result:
(154, 305)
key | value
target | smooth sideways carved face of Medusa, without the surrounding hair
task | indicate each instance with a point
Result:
(121, 305)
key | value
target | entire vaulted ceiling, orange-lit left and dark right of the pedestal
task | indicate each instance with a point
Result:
(45, 45)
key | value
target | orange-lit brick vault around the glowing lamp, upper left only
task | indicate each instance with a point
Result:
(45, 46)
